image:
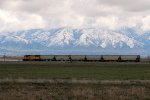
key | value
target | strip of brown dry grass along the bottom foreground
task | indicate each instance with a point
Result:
(68, 91)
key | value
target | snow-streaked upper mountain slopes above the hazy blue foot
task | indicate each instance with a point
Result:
(75, 39)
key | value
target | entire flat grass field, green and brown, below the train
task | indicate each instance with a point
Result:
(74, 81)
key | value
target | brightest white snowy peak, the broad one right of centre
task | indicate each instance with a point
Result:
(105, 38)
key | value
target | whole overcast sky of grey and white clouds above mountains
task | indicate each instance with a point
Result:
(106, 14)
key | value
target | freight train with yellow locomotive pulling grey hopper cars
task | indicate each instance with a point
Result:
(83, 58)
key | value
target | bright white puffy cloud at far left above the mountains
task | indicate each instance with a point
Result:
(10, 21)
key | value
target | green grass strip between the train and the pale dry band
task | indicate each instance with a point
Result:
(77, 70)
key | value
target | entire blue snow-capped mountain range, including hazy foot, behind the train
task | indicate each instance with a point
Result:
(74, 41)
